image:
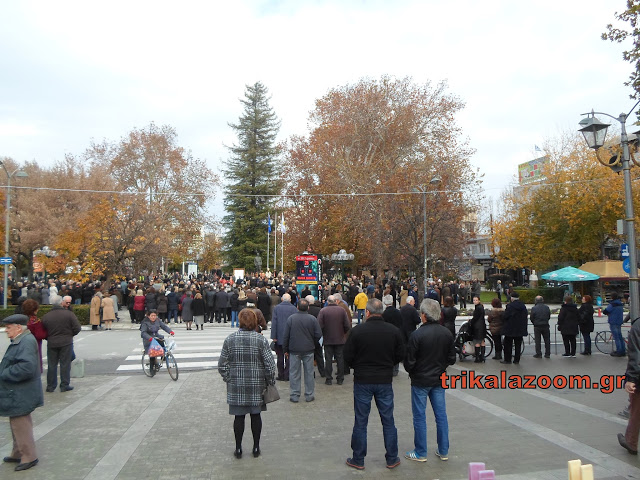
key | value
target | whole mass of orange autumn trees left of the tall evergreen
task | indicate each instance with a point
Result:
(118, 208)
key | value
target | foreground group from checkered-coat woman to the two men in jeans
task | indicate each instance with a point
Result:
(372, 350)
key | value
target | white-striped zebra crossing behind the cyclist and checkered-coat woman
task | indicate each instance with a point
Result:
(195, 349)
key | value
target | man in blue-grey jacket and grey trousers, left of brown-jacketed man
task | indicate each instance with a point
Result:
(301, 334)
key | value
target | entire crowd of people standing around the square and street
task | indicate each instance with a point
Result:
(392, 326)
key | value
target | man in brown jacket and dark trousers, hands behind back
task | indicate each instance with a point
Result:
(334, 323)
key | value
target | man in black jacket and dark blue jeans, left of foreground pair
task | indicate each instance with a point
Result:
(372, 349)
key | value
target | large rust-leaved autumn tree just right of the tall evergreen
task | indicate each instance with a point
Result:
(353, 177)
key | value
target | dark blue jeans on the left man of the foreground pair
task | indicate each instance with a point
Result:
(383, 394)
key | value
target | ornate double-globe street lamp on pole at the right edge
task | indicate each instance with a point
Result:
(595, 132)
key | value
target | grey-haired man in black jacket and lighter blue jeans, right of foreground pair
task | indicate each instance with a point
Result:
(429, 352)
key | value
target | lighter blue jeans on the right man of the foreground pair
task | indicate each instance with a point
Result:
(418, 407)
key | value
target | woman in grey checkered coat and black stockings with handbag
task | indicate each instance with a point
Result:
(246, 365)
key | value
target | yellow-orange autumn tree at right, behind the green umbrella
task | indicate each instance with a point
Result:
(565, 218)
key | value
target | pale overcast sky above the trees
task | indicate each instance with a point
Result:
(72, 71)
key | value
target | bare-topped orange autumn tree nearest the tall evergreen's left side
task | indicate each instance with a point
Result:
(164, 190)
